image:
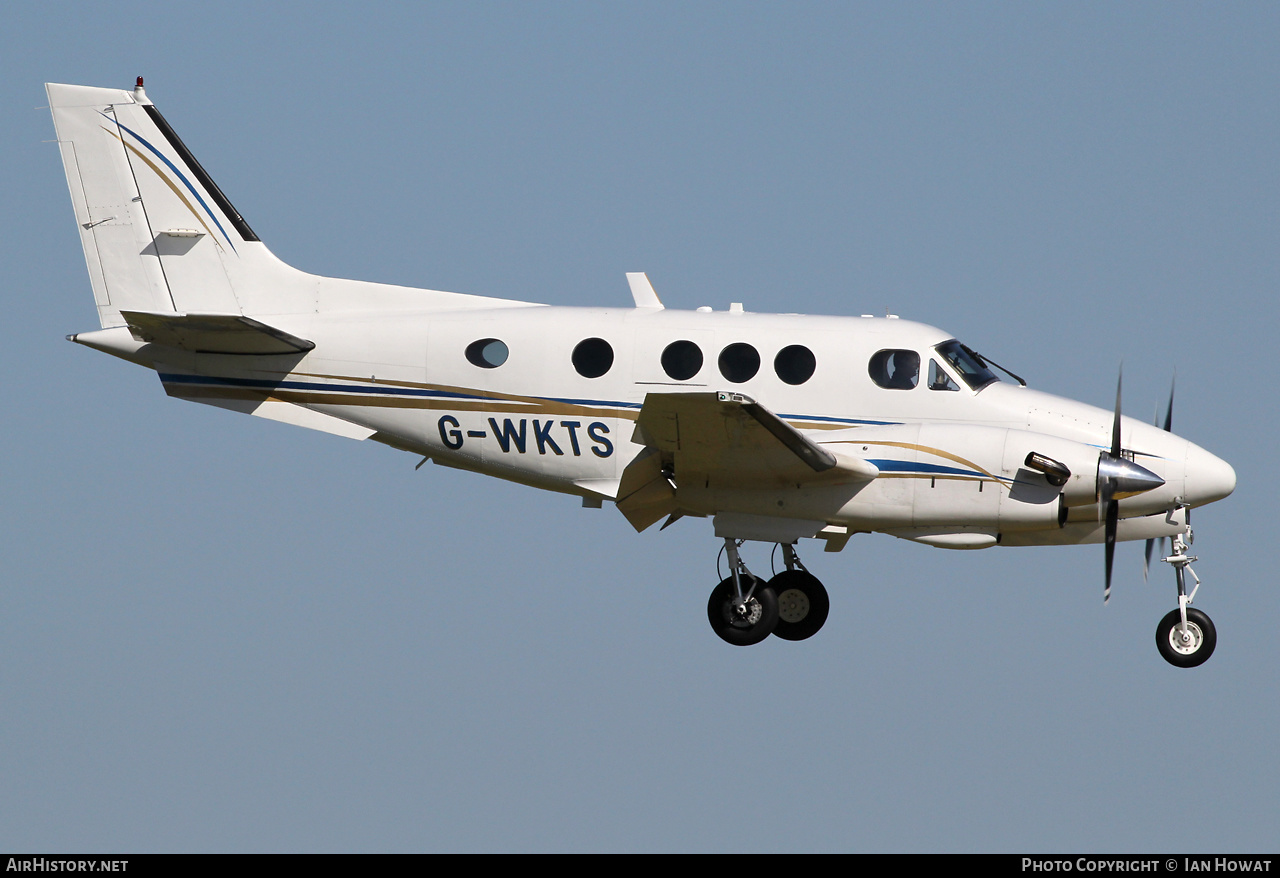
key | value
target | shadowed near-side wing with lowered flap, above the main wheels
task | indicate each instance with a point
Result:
(726, 440)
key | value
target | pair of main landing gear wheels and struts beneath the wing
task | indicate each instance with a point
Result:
(746, 610)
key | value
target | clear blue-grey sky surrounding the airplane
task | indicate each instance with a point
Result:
(226, 634)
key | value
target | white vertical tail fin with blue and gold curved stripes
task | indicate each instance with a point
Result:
(159, 236)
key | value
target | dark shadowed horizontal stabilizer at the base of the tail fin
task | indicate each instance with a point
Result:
(213, 333)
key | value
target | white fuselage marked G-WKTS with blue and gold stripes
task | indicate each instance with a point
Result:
(952, 461)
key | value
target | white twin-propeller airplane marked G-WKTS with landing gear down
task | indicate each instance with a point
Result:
(776, 427)
